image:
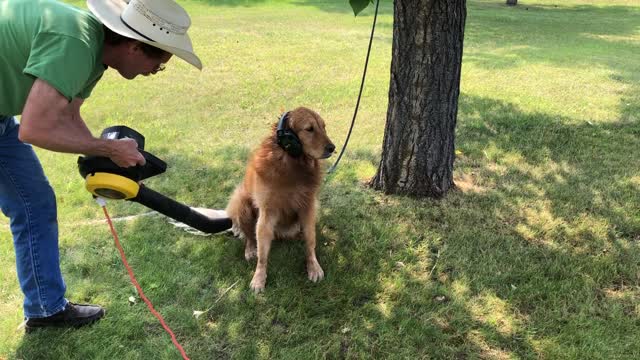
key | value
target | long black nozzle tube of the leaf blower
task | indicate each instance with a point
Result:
(175, 210)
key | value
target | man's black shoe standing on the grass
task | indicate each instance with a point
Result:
(73, 315)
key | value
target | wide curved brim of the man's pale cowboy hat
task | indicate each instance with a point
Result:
(108, 12)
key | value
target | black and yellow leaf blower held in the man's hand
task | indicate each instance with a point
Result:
(106, 179)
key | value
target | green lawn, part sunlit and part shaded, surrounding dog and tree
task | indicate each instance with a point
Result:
(536, 255)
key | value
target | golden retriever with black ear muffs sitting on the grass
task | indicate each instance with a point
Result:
(278, 196)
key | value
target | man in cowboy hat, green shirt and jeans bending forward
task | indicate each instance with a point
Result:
(51, 57)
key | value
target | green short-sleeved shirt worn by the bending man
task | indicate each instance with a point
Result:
(50, 40)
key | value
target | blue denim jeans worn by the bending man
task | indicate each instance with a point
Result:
(28, 200)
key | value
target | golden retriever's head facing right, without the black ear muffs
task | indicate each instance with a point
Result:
(309, 127)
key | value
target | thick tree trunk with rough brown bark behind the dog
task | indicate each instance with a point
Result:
(418, 148)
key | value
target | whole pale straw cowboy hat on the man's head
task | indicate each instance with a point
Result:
(160, 23)
